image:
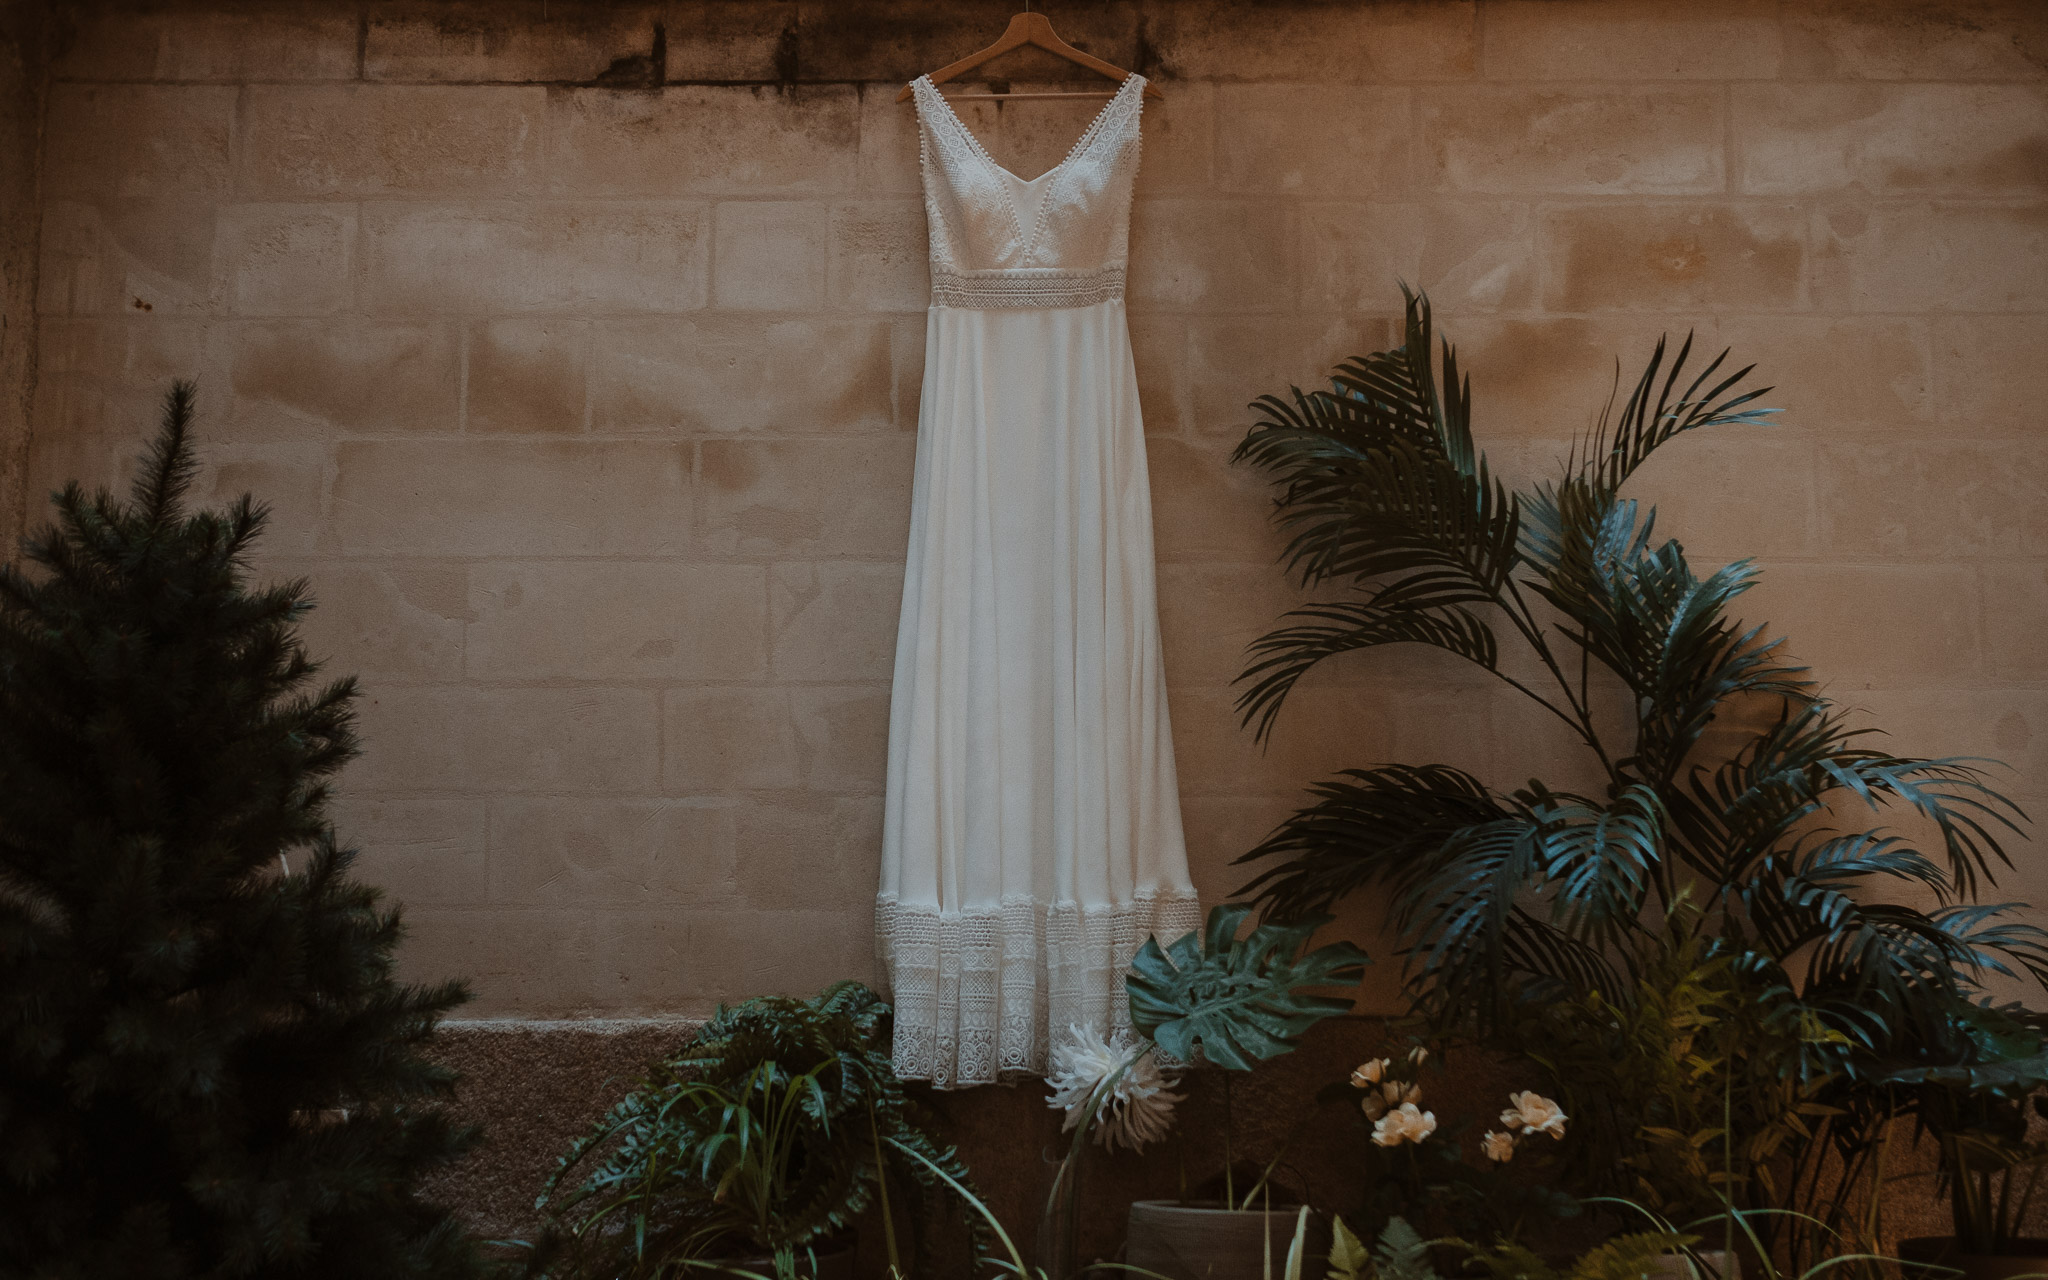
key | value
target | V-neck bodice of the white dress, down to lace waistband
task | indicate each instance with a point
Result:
(1060, 241)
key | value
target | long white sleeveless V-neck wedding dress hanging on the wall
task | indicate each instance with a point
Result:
(1033, 828)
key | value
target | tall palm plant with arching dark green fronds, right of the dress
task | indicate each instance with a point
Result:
(1766, 849)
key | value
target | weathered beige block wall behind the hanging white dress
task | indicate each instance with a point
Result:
(589, 411)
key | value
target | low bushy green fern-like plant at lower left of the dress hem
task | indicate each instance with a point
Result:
(753, 1150)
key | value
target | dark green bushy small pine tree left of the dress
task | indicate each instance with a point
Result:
(206, 1064)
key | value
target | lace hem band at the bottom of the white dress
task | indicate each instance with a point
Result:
(978, 992)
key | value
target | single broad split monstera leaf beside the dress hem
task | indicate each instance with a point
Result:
(1238, 998)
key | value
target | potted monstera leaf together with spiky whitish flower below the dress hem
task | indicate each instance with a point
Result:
(1213, 1000)
